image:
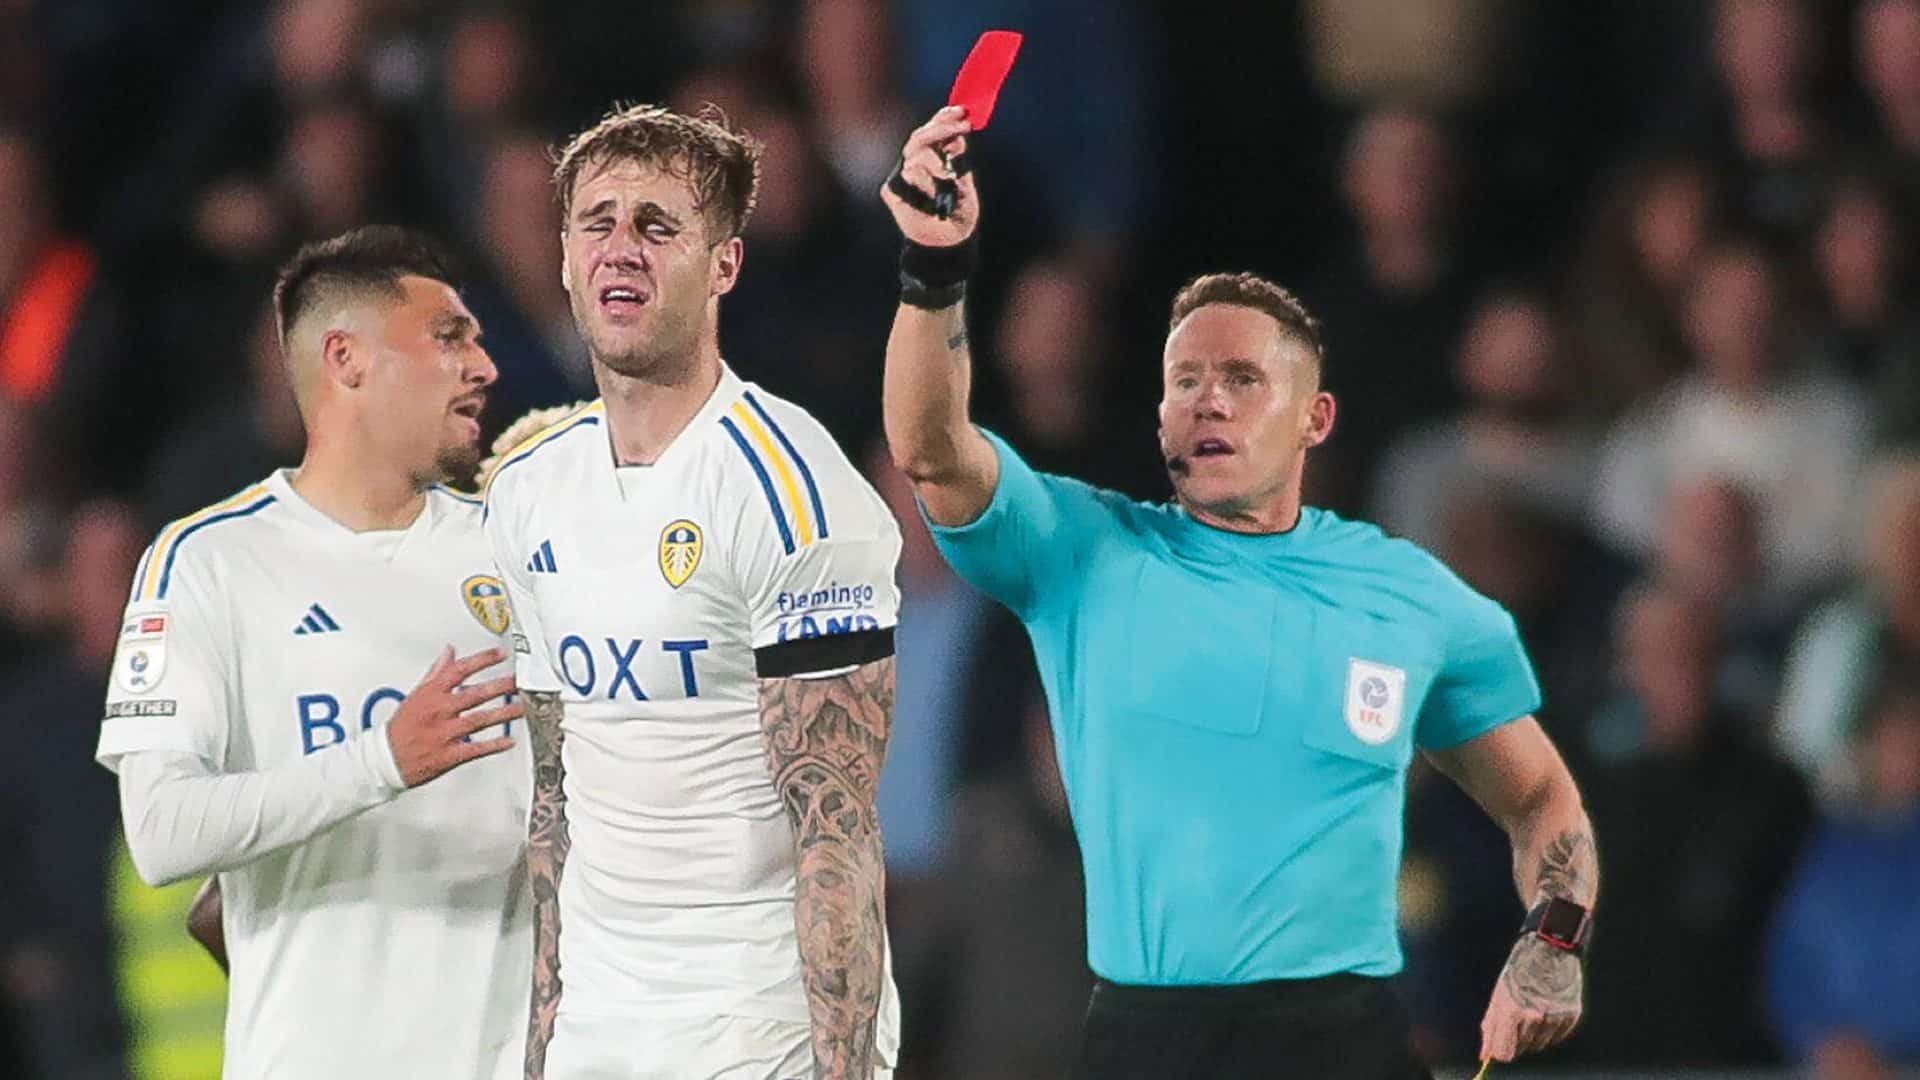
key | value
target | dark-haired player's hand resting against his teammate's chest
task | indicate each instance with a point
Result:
(431, 729)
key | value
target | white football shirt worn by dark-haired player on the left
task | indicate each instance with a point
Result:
(398, 943)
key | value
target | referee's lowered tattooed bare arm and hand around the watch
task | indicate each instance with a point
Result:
(1524, 785)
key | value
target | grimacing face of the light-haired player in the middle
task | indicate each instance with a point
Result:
(640, 268)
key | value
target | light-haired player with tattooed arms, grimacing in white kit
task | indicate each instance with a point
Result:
(706, 602)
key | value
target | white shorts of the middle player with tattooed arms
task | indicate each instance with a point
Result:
(719, 1048)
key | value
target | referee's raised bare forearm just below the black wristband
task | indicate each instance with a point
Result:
(926, 391)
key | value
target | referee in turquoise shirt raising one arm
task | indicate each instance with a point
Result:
(1237, 687)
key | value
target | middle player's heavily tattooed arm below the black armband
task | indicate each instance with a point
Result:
(827, 741)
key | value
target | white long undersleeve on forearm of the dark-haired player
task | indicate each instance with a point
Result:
(183, 820)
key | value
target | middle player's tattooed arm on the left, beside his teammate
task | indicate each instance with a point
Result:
(546, 860)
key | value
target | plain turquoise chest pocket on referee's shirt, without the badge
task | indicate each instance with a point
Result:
(1199, 650)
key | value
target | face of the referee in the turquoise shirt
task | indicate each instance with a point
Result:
(1239, 408)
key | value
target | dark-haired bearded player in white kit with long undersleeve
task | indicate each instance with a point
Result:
(270, 724)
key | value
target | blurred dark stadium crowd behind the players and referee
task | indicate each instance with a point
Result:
(1620, 305)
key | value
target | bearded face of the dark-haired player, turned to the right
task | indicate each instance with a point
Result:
(427, 381)
